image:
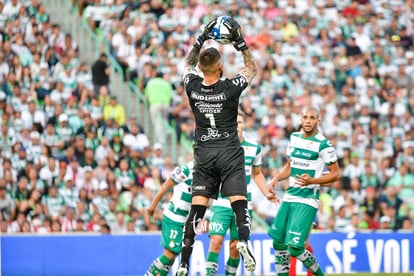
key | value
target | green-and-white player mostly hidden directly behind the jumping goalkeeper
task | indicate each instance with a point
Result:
(222, 217)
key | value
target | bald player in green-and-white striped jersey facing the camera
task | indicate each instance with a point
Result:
(308, 152)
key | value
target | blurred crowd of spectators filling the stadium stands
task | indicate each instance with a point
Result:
(72, 160)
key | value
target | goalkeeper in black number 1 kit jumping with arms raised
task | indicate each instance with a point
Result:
(218, 155)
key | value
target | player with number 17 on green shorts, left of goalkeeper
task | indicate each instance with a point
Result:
(174, 217)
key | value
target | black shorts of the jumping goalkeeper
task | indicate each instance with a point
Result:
(218, 169)
